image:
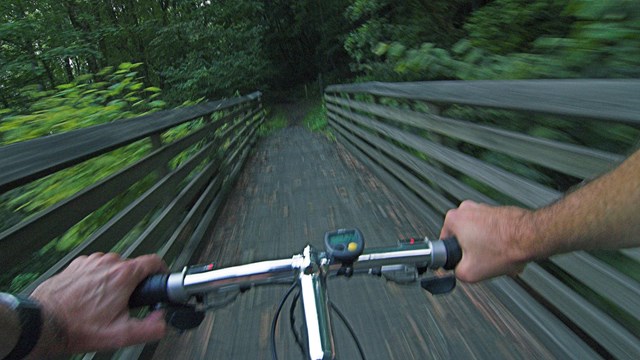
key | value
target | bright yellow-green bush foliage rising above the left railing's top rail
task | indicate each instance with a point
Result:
(112, 94)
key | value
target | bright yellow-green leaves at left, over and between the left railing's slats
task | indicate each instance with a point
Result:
(110, 95)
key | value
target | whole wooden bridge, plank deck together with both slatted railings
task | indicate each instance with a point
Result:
(401, 160)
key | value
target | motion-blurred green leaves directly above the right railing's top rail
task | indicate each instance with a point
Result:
(520, 39)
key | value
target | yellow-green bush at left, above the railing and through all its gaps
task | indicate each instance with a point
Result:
(112, 94)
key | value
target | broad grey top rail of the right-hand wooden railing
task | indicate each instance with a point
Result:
(608, 100)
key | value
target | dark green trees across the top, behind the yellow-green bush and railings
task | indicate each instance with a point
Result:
(194, 49)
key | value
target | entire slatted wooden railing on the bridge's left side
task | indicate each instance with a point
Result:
(172, 212)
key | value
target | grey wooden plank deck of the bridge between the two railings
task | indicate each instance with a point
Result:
(296, 186)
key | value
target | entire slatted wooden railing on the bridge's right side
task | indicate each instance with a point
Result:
(412, 135)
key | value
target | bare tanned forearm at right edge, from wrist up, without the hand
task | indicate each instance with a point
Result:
(603, 214)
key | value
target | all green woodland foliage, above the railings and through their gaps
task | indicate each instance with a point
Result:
(75, 63)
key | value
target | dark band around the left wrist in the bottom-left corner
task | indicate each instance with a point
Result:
(30, 316)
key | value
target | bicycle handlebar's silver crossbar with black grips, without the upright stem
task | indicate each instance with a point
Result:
(178, 288)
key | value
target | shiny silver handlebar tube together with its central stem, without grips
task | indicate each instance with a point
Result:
(312, 268)
